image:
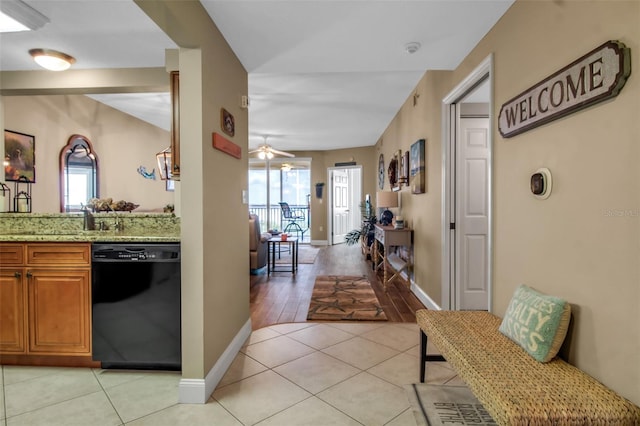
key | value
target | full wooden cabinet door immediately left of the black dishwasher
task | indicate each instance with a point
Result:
(59, 311)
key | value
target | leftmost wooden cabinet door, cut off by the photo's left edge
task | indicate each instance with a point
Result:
(12, 311)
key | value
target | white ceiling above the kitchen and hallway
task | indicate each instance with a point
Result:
(322, 74)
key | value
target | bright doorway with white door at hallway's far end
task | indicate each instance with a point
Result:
(344, 198)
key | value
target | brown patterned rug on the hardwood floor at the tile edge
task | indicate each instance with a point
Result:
(343, 297)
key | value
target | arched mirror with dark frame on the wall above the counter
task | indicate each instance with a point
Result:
(78, 174)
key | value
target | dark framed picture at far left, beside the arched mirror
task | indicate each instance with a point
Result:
(20, 156)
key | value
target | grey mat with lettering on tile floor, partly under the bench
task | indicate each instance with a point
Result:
(436, 405)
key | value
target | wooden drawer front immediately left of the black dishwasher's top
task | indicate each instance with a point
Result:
(59, 254)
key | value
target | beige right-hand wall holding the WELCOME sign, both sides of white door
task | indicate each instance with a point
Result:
(582, 243)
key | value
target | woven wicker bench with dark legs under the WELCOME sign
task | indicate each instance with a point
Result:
(513, 387)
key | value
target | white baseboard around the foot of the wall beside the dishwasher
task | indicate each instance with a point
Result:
(198, 391)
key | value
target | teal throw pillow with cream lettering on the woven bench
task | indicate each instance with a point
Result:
(536, 322)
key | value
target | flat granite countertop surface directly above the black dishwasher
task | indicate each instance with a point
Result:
(85, 236)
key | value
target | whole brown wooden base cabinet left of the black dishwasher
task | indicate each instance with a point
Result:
(45, 299)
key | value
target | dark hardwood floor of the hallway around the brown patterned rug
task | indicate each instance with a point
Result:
(283, 297)
